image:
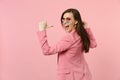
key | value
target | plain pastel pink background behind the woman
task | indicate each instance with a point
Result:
(20, 53)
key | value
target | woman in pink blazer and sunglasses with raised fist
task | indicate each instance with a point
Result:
(71, 48)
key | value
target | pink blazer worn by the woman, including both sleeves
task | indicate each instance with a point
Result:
(71, 61)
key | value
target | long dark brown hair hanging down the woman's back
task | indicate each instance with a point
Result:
(79, 28)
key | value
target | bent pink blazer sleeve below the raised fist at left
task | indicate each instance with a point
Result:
(62, 45)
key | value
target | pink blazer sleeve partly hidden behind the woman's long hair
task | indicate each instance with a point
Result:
(93, 43)
